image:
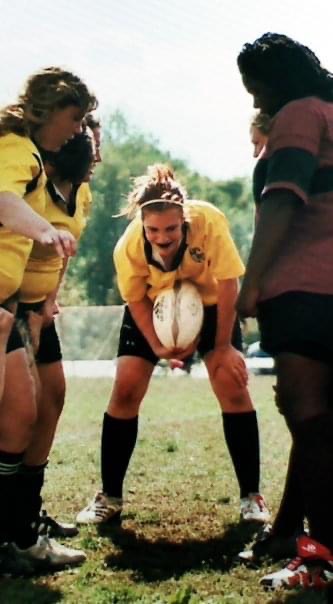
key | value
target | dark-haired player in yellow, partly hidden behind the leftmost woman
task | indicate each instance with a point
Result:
(67, 206)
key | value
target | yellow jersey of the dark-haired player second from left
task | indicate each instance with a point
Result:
(44, 266)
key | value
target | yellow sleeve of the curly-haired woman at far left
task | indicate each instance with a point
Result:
(19, 165)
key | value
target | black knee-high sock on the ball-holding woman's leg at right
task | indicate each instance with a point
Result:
(242, 438)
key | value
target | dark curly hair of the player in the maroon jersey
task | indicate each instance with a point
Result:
(289, 69)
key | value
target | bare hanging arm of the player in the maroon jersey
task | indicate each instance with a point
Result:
(276, 214)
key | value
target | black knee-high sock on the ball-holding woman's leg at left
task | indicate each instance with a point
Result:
(118, 442)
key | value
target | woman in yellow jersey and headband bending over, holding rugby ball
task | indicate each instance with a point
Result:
(172, 239)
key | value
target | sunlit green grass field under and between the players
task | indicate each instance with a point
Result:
(180, 529)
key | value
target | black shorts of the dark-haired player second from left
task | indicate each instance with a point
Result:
(49, 350)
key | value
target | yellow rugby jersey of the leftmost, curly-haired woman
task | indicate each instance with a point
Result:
(21, 165)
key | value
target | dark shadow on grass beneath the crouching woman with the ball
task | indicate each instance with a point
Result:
(162, 559)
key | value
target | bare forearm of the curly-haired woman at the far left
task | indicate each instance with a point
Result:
(18, 216)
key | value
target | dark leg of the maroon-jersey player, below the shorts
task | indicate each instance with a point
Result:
(304, 389)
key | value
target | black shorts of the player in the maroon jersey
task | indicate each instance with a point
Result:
(298, 322)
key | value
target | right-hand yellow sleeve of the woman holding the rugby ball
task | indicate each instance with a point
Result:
(225, 261)
